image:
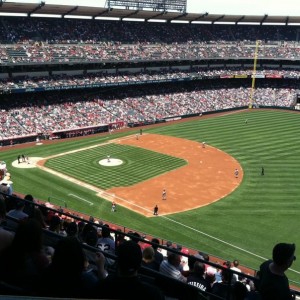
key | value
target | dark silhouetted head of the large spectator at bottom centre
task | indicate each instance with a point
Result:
(129, 258)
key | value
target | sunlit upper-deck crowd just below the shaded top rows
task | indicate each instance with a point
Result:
(48, 53)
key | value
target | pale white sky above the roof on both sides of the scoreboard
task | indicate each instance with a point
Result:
(234, 7)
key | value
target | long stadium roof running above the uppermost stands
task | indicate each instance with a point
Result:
(41, 9)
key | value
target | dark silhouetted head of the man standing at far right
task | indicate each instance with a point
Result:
(284, 254)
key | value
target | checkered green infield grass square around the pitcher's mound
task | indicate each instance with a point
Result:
(139, 165)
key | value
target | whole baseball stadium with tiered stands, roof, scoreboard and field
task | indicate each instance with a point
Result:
(183, 130)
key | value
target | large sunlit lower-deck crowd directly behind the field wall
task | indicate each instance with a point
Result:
(50, 112)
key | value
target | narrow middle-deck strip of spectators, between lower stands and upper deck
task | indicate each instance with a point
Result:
(103, 78)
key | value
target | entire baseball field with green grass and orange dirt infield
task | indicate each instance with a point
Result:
(207, 207)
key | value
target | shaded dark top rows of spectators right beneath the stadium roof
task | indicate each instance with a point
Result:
(71, 31)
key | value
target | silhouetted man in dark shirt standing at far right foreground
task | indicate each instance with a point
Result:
(273, 284)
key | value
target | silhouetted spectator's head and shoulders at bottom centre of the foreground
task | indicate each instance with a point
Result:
(126, 284)
